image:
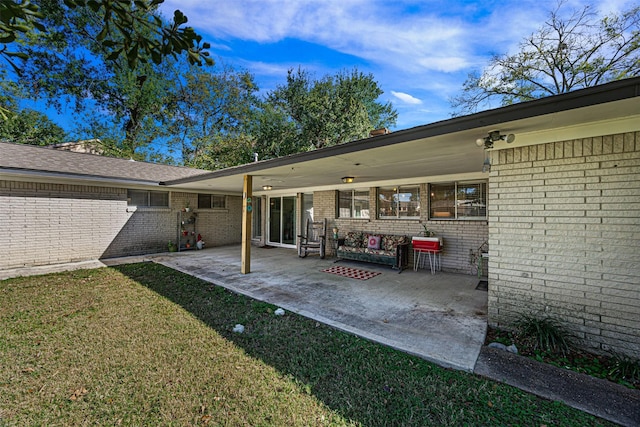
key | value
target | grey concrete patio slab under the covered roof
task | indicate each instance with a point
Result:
(439, 317)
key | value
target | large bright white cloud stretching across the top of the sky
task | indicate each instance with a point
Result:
(414, 35)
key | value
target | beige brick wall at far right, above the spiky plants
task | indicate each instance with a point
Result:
(565, 237)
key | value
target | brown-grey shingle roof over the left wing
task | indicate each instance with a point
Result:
(30, 158)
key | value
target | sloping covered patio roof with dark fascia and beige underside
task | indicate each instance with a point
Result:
(441, 149)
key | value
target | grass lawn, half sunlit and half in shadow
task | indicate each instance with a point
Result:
(142, 344)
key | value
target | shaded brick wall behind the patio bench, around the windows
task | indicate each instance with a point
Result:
(461, 238)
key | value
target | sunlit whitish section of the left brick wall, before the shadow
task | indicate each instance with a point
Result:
(54, 223)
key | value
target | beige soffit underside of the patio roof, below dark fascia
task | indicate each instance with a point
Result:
(449, 154)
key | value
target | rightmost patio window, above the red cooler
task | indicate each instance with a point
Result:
(458, 200)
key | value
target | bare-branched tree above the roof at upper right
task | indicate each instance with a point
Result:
(565, 54)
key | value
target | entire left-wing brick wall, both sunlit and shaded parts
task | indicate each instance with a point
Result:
(57, 223)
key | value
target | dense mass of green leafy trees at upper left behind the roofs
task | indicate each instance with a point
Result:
(115, 66)
